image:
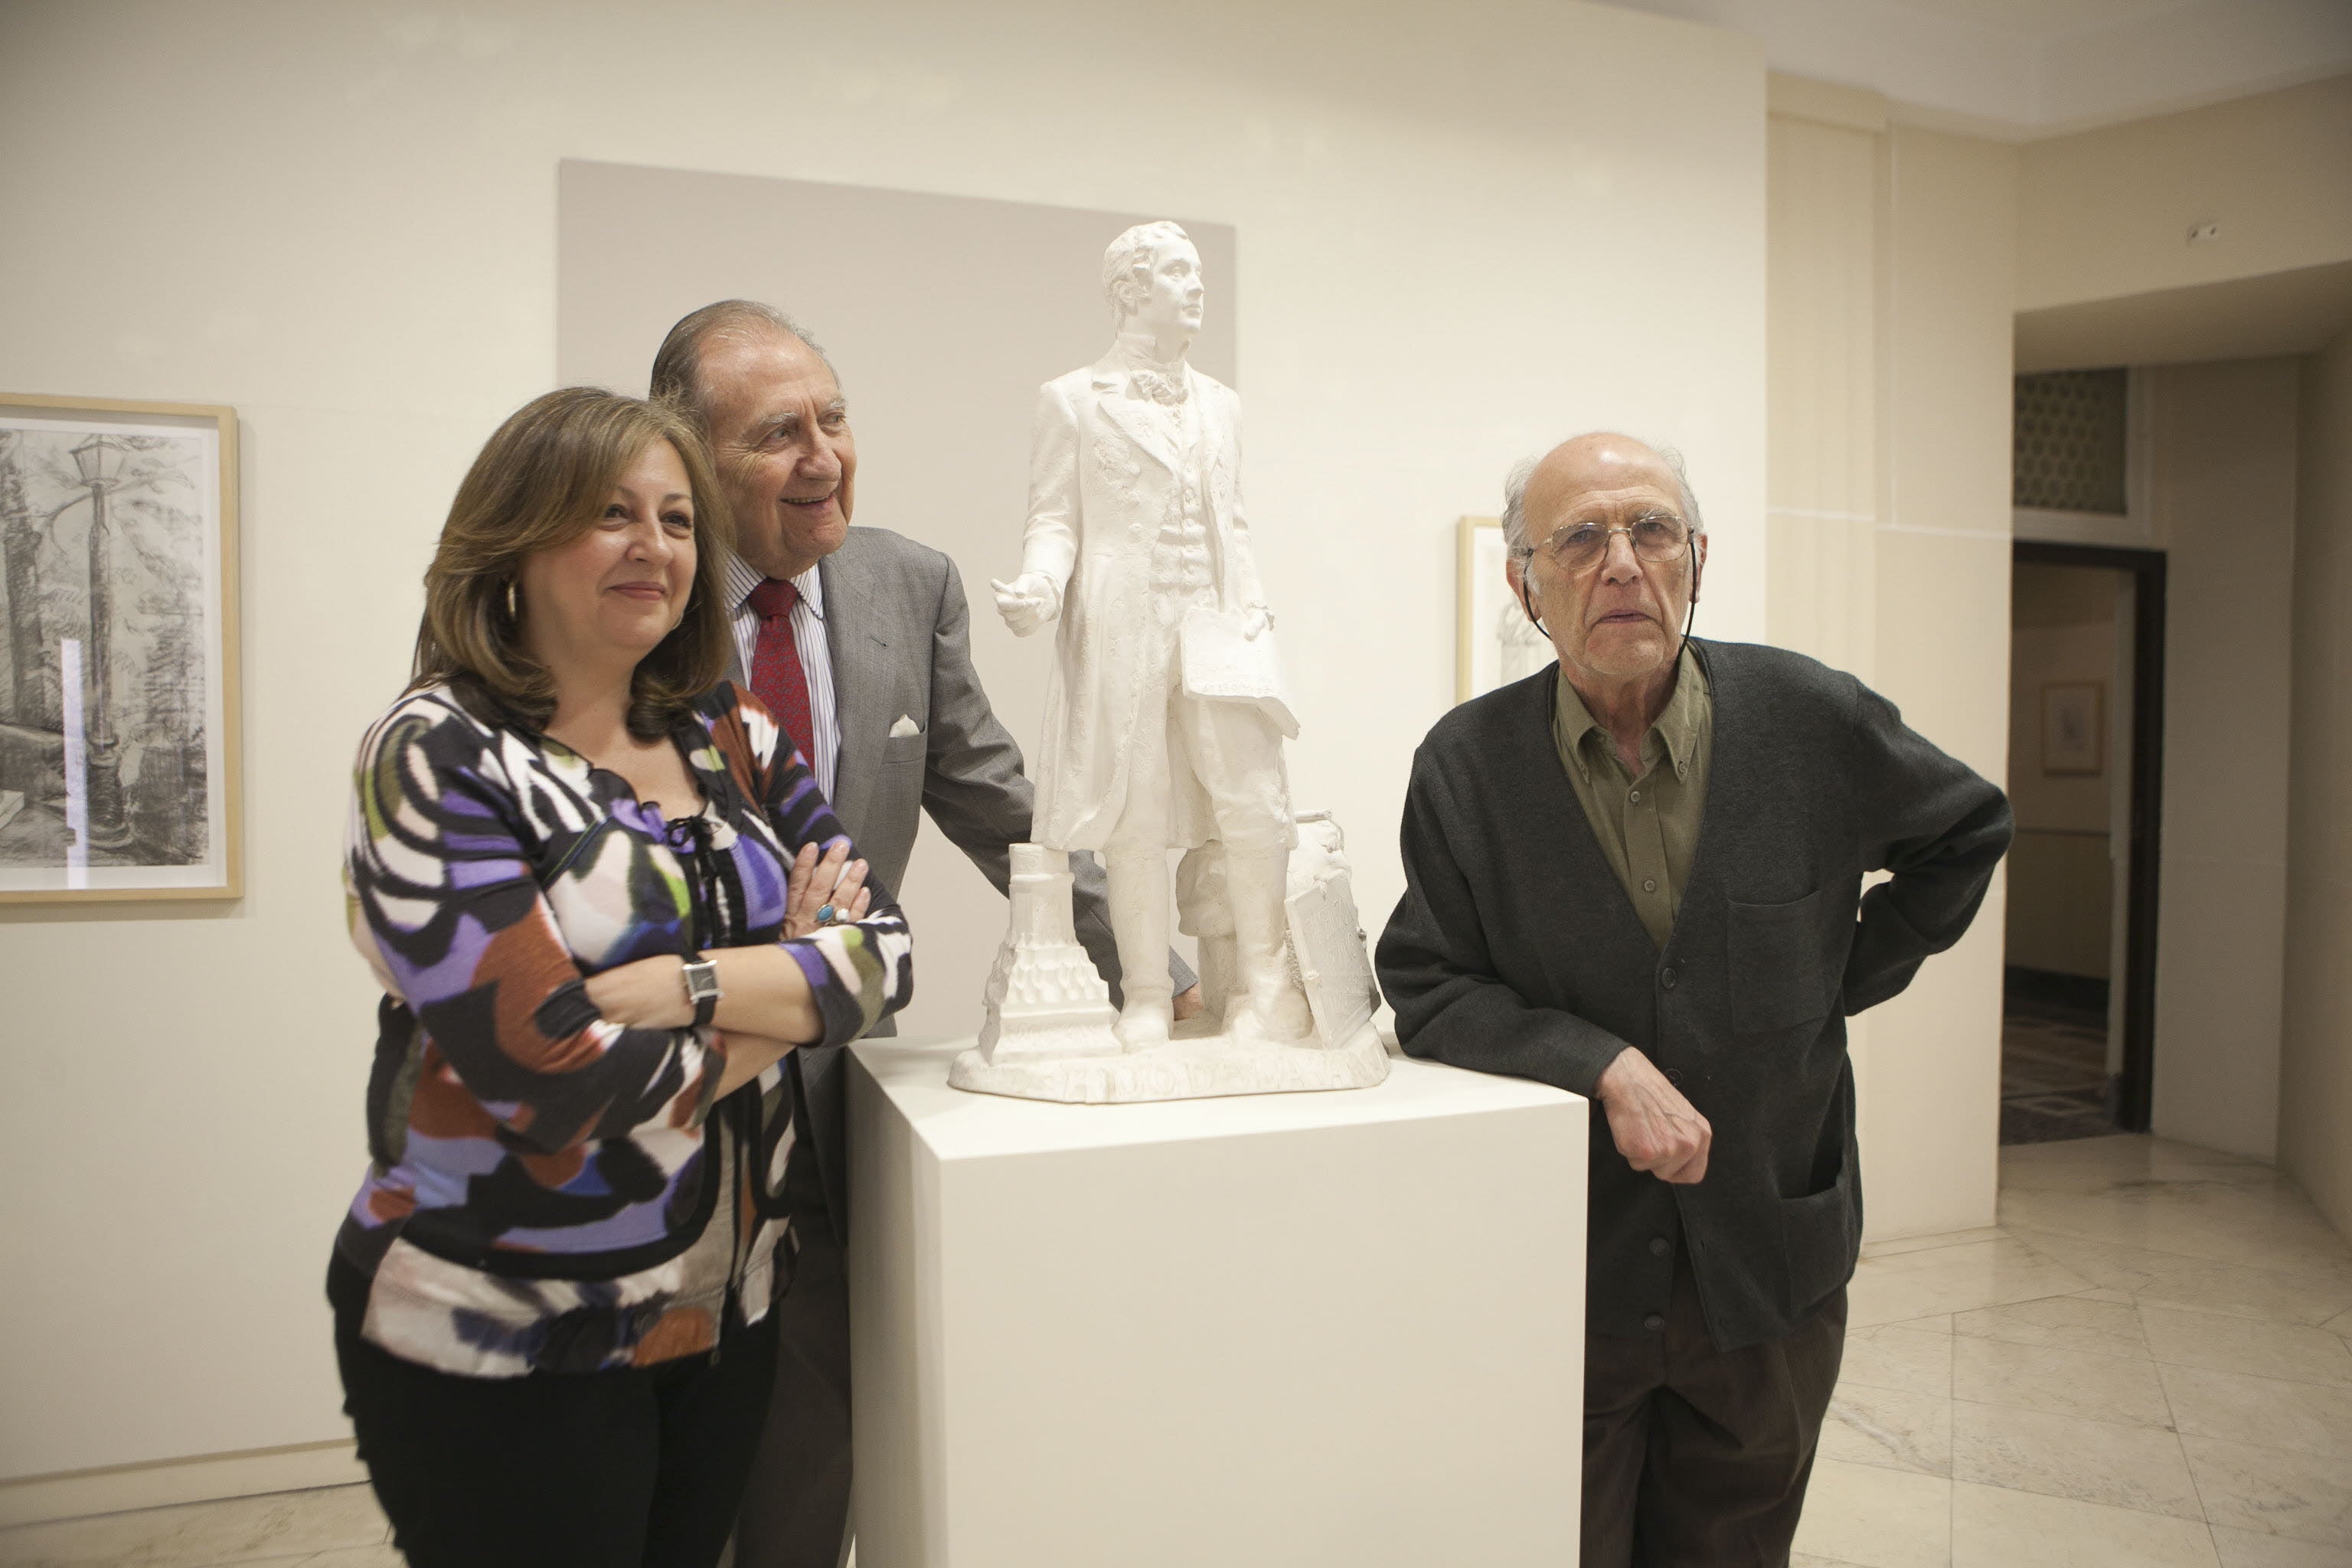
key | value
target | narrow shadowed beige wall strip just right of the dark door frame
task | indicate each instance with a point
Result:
(2224, 504)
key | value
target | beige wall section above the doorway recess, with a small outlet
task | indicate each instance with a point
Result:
(2106, 213)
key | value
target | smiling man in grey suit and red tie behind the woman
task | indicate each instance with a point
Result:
(860, 643)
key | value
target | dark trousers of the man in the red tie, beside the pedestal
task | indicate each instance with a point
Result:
(796, 1508)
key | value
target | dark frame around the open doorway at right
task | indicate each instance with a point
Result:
(2146, 845)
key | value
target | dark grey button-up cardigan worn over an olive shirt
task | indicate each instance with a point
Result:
(1518, 951)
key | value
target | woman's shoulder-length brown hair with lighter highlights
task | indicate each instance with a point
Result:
(542, 483)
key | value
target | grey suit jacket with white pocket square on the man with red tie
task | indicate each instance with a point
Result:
(900, 634)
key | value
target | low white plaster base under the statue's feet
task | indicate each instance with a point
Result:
(1194, 1066)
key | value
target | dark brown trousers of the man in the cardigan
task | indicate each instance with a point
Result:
(1695, 1456)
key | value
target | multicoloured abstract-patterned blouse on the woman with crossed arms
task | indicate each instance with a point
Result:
(544, 1181)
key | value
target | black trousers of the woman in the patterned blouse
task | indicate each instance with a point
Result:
(632, 1468)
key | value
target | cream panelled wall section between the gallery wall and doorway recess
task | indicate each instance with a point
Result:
(1887, 483)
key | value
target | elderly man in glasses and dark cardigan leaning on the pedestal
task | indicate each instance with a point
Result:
(1641, 876)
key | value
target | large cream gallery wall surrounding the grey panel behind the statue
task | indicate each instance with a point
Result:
(342, 222)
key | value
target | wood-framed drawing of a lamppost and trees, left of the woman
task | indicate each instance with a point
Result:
(119, 664)
